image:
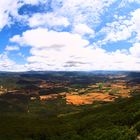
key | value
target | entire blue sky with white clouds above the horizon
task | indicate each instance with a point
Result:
(69, 35)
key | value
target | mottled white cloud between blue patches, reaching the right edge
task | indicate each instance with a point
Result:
(122, 28)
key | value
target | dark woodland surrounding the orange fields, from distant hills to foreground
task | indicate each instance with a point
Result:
(24, 119)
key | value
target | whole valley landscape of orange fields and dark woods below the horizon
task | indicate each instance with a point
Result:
(70, 105)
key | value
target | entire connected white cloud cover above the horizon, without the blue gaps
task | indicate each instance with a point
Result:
(57, 39)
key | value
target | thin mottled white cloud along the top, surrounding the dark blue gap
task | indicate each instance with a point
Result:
(70, 12)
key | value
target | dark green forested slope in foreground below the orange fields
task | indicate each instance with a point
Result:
(54, 120)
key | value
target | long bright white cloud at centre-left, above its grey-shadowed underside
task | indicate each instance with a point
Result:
(41, 37)
